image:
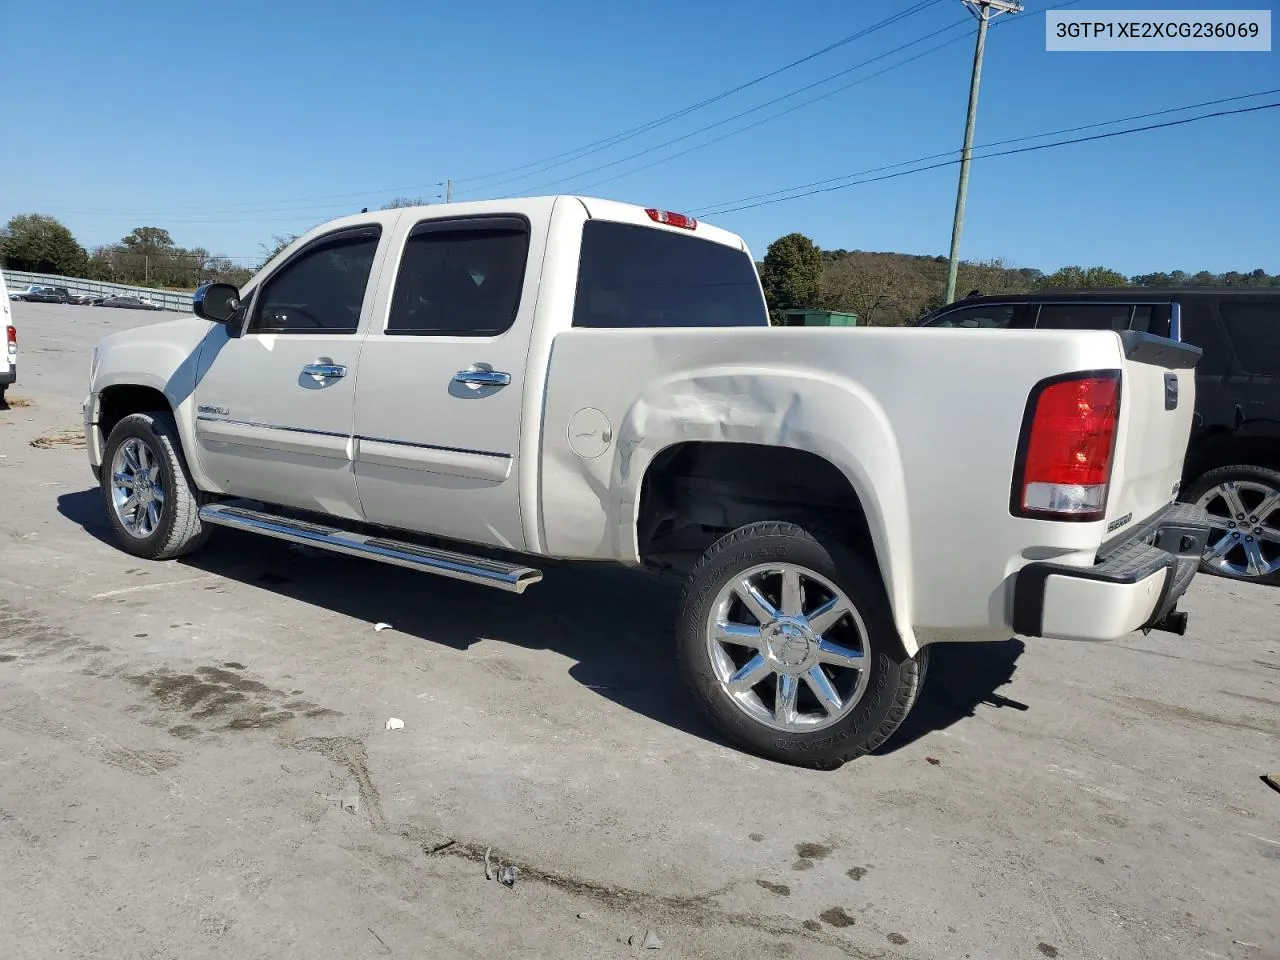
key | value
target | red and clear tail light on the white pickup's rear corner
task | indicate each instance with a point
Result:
(1068, 447)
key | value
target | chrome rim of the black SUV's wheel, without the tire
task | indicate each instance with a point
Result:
(1245, 538)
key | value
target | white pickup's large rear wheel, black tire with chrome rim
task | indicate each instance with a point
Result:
(874, 698)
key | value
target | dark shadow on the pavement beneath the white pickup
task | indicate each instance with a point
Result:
(614, 624)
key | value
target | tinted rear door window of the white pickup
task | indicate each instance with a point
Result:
(461, 278)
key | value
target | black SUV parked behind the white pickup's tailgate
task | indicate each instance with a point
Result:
(1233, 461)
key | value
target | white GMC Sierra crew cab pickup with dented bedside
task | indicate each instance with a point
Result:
(465, 390)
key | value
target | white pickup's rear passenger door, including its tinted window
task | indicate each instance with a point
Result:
(438, 414)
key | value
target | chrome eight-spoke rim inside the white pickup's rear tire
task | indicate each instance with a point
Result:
(789, 648)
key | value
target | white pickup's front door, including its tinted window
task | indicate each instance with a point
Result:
(276, 405)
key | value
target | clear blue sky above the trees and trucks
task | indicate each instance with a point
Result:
(234, 124)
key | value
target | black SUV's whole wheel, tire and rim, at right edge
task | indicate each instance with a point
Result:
(1245, 506)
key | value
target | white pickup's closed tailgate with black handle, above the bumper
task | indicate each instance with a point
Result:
(1158, 403)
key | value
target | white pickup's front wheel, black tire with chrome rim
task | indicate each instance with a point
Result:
(176, 529)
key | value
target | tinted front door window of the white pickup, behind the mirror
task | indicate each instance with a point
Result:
(322, 290)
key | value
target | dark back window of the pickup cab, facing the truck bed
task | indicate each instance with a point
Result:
(646, 277)
